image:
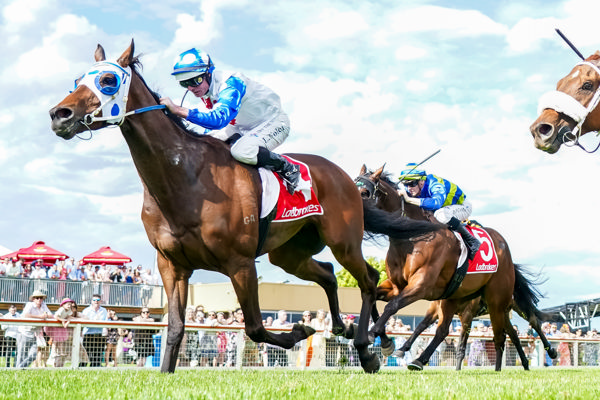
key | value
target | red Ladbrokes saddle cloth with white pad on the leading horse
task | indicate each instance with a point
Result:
(301, 204)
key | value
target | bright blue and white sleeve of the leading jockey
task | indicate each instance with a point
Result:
(224, 110)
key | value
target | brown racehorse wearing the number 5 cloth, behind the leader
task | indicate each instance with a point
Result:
(420, 269)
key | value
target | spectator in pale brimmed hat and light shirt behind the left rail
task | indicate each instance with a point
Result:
(30, 337)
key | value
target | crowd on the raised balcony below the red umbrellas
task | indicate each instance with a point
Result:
(71, 270)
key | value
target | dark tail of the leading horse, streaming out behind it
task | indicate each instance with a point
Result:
(380, 222)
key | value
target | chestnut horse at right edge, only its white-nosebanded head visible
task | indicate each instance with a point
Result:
(571, 110)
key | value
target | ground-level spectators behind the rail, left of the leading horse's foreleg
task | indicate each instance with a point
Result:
(52, 344)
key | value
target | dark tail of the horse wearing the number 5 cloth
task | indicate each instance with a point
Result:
(526, 295)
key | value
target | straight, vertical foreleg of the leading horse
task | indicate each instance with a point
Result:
(175, 283)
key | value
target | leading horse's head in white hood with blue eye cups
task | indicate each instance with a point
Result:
(99, 97)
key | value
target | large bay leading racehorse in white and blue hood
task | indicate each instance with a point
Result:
(201, 208)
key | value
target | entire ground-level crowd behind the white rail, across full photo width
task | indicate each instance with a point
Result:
(108, 346)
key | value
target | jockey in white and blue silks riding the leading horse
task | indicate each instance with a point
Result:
(237, 107)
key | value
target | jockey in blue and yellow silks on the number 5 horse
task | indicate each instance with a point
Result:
(444, 198)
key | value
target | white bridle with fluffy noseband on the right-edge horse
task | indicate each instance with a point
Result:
(566, 104)
